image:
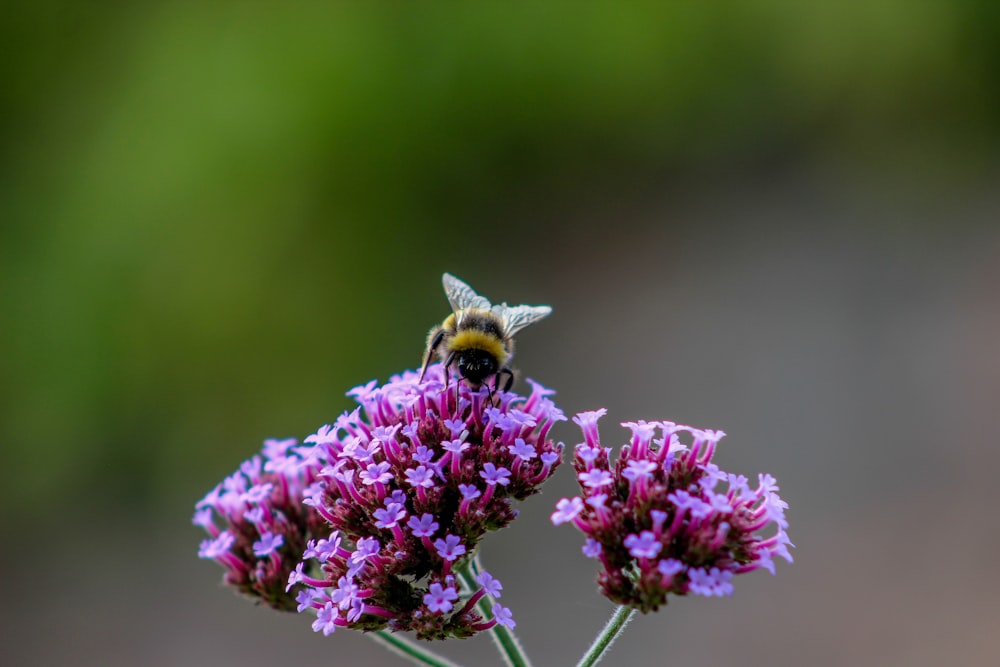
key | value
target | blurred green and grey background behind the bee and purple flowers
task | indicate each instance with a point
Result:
(778, 219)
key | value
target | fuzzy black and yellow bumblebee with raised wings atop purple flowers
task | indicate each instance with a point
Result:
(478, 337)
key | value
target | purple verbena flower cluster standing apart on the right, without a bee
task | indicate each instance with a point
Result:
(665, 519)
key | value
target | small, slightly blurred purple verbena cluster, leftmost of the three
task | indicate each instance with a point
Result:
(257, 522)
